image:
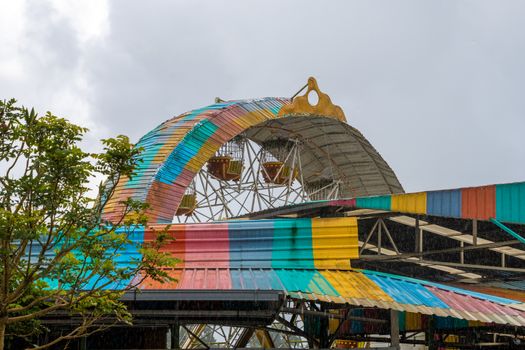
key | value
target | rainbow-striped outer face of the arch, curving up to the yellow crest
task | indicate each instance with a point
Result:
(178, 148)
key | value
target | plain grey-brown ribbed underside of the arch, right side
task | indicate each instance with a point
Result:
(352, 159)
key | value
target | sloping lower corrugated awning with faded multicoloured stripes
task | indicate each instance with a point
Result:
(355, 287)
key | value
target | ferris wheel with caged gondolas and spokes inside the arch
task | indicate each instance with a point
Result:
(245, 177)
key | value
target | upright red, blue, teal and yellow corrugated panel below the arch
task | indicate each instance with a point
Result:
(280, 243)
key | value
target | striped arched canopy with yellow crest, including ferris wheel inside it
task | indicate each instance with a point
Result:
(238, 157)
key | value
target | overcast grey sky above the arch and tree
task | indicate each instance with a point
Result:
(438, 87)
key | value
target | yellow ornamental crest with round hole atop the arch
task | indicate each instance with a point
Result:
(324, 107)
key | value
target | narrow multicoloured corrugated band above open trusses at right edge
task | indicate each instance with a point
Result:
(504, 202)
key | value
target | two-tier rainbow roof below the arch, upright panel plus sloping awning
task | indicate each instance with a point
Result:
(308, 259)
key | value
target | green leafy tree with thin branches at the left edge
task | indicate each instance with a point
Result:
(56, 255)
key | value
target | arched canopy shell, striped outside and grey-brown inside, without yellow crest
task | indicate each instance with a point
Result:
(177, 149)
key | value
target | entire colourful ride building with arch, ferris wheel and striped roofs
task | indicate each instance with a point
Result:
(295, 233)
